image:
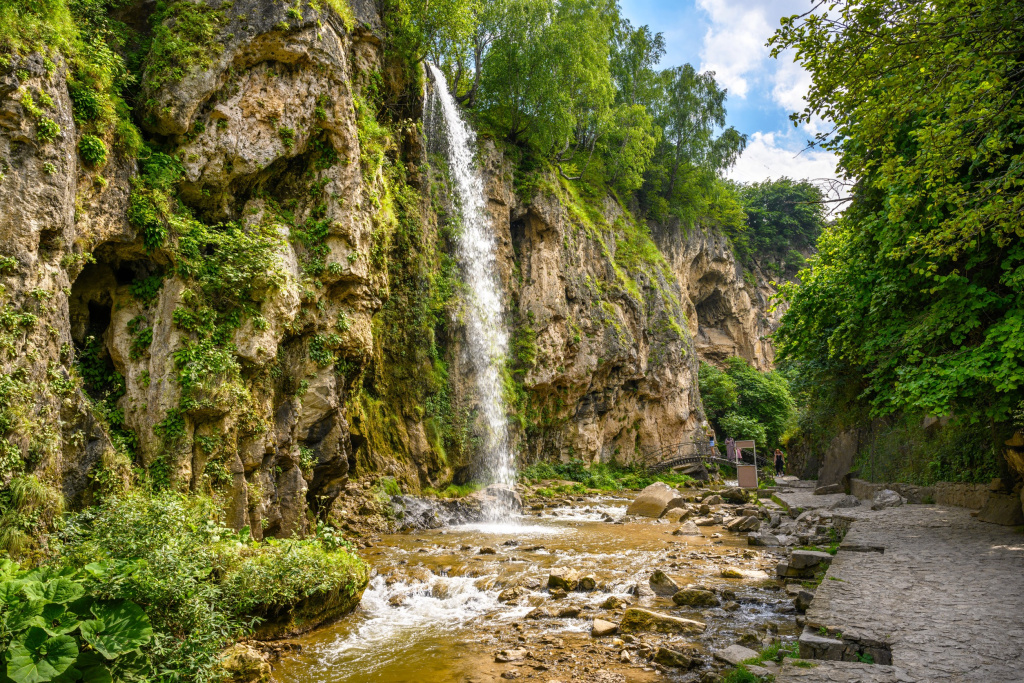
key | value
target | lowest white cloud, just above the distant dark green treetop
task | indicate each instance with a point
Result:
(773, 156)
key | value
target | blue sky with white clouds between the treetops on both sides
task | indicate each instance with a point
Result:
(729, 37)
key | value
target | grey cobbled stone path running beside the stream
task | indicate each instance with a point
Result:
(946, 595)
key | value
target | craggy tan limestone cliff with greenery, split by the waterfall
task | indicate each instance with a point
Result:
(262, 304)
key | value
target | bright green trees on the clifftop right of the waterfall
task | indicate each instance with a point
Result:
(576, 86)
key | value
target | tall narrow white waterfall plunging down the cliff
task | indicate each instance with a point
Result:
(486, 331)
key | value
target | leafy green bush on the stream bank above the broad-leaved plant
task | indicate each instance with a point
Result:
(201, 585)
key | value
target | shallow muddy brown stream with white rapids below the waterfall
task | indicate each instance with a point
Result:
(432, 613)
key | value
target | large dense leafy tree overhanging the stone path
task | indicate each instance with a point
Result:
(919, 290)
